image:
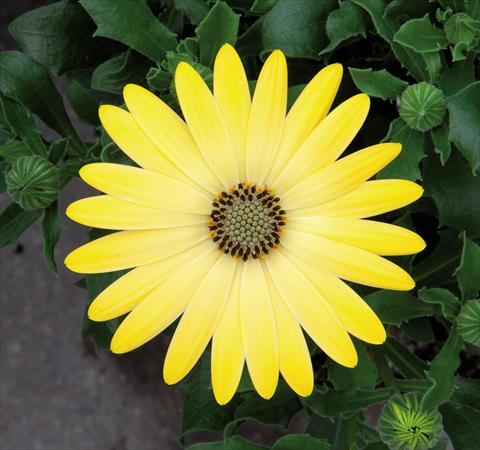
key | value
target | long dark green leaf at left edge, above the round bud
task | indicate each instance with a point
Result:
(28, 82)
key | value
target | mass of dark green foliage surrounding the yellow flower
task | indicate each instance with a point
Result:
(418, 60)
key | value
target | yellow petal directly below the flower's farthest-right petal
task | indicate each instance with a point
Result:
(347, 262)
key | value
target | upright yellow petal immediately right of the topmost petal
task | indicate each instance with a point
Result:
(267, 117)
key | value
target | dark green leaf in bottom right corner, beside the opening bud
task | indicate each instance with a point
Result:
(461, 425)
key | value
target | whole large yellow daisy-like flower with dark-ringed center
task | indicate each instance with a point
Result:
(242, 221)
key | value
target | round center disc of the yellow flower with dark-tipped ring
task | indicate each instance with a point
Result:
(247, 221)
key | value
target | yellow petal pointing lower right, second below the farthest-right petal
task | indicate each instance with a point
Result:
(351, 309)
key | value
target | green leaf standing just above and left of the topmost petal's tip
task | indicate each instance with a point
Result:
(219, 27)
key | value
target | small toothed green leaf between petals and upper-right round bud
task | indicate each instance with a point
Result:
(380, 83)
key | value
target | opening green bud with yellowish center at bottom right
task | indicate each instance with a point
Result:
(405, 426)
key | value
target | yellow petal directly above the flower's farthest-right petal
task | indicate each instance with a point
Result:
(369, 199)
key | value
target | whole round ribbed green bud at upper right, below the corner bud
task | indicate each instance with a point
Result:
(422, 106)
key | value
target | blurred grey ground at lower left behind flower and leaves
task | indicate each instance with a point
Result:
(55, 391)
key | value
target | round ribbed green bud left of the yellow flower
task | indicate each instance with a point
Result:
(33, 182)
